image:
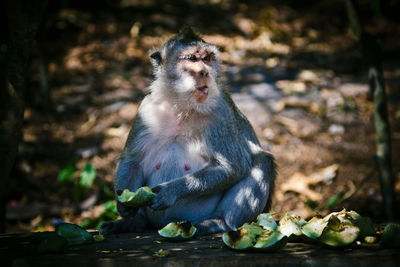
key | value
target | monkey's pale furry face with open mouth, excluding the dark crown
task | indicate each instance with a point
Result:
(191, 74)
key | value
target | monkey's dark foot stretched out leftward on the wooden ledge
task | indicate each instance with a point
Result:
(138, 223)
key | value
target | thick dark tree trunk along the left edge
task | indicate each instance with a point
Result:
(24, 18)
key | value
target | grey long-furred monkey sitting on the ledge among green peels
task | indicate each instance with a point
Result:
(194, 148)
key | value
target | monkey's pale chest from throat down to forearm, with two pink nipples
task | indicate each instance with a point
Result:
(173, 146)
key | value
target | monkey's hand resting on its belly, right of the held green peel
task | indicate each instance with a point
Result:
(165, 196)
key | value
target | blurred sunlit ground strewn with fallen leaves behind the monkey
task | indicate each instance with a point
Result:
(292, 67)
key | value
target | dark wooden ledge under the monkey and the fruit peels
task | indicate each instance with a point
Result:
(139, 250)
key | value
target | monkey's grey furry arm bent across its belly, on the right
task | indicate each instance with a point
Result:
(230, 161)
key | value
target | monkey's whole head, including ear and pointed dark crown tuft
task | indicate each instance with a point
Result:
(186, 69)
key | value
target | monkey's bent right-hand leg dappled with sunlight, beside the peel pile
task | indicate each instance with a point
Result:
(245, 200)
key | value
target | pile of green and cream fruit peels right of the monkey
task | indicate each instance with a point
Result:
(337, 229)
